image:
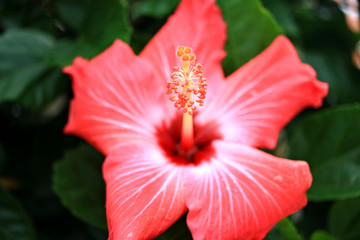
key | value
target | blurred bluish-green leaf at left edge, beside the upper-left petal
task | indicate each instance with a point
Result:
(21, 55)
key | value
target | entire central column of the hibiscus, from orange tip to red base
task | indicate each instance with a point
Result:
(187, 89)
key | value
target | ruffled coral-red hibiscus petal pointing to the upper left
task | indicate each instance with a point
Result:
(115, 98)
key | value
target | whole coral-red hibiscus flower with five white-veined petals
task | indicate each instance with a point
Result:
(162, 162)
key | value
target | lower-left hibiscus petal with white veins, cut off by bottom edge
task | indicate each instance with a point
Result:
(144, 192)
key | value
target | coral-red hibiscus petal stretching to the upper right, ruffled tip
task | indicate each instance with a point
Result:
(261, 97)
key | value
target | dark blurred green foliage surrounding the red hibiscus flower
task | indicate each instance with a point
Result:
(51, 180)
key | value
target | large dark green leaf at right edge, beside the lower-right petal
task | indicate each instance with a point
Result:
(329, 141)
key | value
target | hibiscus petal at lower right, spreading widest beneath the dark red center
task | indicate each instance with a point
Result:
(242, 192)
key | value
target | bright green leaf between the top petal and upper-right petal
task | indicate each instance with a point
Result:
(250, 30)
